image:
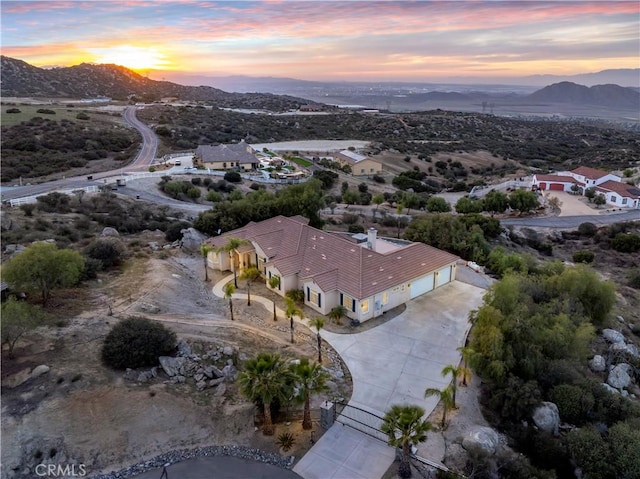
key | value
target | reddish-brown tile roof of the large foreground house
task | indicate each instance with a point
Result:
(334, 262)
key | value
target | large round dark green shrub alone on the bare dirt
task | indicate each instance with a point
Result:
(137, 342)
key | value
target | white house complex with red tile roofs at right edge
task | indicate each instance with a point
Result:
(614, 190)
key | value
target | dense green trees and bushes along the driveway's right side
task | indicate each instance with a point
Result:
(530, 341)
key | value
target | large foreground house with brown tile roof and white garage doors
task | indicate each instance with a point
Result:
(367, 277)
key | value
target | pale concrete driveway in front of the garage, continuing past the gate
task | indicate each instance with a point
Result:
(390, 364)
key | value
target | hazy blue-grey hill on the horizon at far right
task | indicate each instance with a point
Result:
(613, 96)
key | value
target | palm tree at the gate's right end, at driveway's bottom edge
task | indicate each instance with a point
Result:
(403, 424)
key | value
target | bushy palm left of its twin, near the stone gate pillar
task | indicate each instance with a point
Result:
(265, 379)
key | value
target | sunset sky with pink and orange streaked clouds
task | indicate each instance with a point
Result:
(340, 40)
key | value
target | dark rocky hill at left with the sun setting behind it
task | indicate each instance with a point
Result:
(119, 83)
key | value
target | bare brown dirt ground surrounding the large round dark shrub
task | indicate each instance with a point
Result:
(83, 412)
